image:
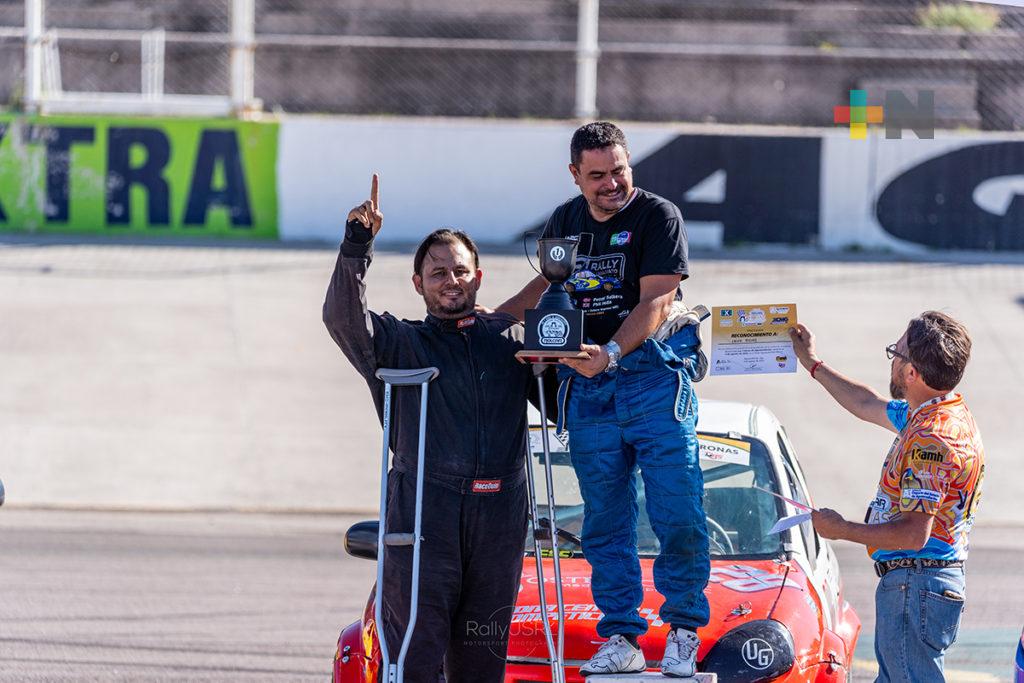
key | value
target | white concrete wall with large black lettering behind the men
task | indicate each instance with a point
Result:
(735, 185)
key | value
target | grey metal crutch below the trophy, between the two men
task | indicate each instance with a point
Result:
(557, 652)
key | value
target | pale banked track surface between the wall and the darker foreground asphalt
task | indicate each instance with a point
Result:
(182, 377)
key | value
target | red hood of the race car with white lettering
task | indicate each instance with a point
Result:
(739, 592)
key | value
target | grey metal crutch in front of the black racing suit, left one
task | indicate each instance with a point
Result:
(396, 671)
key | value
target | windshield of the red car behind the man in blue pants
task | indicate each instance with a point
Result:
(736, 471)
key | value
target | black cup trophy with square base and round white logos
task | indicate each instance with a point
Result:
(554, 329)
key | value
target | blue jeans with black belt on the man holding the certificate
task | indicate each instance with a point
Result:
(917, 617)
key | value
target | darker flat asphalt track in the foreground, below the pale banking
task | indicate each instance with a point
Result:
(101, 596)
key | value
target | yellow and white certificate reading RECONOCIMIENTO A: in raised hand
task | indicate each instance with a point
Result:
(753, 340)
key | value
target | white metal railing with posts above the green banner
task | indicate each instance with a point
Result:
(105, 63)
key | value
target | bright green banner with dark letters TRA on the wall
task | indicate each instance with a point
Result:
(74, 175)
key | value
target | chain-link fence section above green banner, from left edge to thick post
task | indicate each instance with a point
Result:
(116, 56)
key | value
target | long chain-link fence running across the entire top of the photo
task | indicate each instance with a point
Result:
(771, 62)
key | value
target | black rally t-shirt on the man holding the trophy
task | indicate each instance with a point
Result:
(646, 238)
